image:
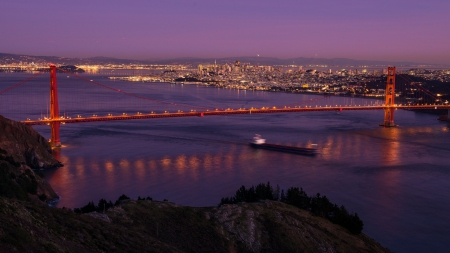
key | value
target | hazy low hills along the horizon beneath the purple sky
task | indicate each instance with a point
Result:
(304, 61)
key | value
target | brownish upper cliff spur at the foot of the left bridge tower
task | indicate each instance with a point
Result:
(25, 145)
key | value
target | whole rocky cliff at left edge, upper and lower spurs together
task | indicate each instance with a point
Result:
(21, 150)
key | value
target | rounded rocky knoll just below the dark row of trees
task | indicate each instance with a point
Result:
(272, 226)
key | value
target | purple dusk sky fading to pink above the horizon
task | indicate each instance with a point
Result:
(392, 30)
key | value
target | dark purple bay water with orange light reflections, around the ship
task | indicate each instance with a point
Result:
(395, 179)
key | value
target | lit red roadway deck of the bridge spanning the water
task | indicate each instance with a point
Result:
(227, 112)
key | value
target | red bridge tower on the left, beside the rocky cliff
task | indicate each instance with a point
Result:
(54, 108)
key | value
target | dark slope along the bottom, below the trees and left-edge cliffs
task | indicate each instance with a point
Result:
(146, 226)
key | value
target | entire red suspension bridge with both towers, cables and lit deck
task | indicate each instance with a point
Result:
(54, 118)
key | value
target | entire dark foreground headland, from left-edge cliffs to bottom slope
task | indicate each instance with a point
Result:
(27, 224)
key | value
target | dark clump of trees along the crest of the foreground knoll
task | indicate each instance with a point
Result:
(318, 205)
